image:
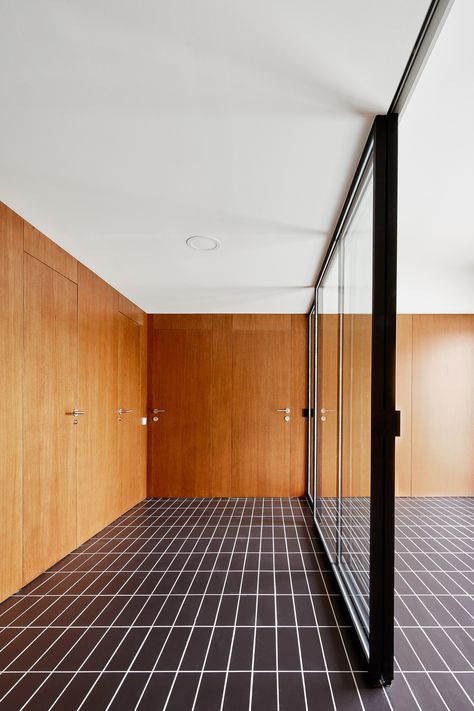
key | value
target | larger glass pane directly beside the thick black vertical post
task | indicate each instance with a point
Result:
(355, 428)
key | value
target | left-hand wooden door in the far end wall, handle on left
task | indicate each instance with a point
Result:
(181, 373)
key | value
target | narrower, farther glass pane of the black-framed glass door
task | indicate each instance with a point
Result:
(327, 479)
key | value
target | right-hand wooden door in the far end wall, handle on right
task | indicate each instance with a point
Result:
(261, 437)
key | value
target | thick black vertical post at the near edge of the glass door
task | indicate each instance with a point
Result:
(383, 419)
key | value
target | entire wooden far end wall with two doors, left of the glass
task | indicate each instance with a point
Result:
(214, 456)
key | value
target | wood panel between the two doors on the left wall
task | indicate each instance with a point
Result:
(99, 494)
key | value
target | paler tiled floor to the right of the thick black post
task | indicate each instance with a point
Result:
(434, 603)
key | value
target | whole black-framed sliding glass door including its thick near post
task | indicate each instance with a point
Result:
(353, 374)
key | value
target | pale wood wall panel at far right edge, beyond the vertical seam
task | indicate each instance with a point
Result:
(443, 405)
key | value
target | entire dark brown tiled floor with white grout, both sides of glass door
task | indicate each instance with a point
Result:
(229, 604)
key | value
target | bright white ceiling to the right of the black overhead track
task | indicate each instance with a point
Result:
(436, 184)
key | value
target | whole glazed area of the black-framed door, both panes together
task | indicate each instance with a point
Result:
(344, 356)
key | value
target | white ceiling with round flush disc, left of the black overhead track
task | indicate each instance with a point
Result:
(126, 127)
